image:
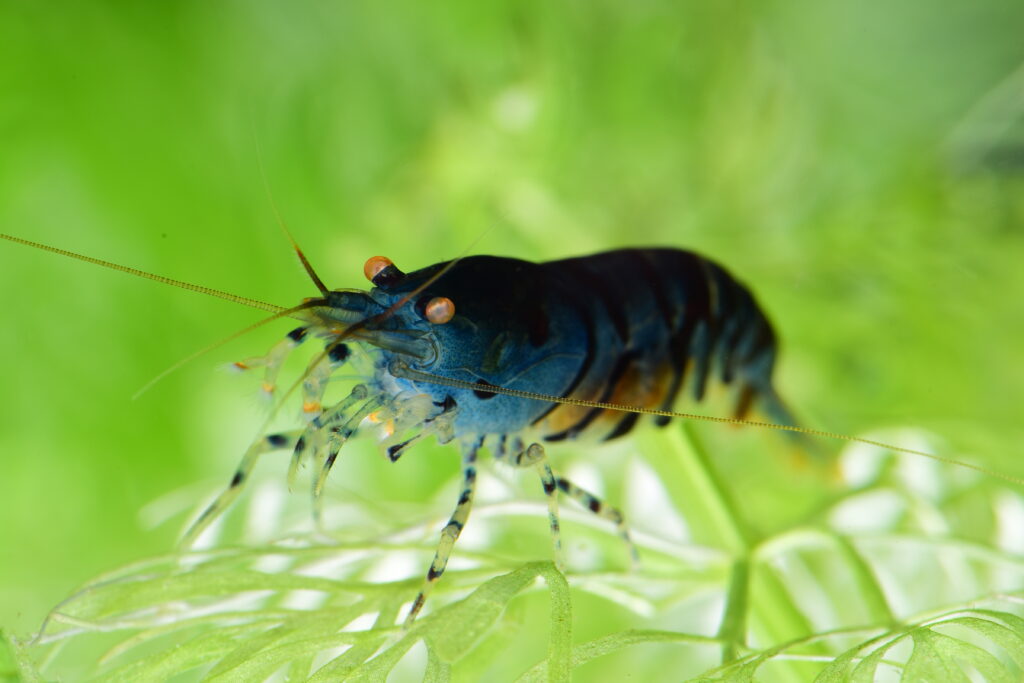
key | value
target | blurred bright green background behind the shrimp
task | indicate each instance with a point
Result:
(860, 165)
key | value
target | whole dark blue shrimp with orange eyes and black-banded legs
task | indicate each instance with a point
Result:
(459, 349)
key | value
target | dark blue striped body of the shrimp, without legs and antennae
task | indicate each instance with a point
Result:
(629, 326)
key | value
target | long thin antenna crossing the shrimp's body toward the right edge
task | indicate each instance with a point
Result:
(401, 369)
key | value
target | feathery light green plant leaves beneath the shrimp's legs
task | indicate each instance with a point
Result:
(843, 596)
